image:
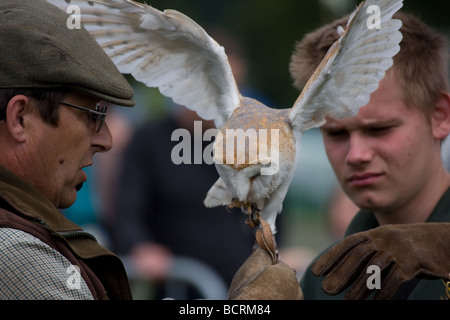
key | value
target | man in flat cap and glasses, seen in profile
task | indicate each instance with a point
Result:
(54, 84)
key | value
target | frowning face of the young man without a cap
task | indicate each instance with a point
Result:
(385, 156)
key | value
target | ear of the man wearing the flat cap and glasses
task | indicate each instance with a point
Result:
(16, 109)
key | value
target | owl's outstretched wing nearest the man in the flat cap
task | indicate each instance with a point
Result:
(167, 50)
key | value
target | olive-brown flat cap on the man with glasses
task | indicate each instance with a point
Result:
(38, 50)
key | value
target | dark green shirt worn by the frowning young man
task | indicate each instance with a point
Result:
(363, 221)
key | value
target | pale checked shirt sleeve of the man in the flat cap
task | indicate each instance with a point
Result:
(31, 270)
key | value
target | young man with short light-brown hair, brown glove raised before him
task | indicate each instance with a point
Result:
(388, 161)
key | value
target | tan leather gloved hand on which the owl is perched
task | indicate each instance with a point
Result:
(263, 276)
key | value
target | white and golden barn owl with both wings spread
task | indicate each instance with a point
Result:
(257, 161)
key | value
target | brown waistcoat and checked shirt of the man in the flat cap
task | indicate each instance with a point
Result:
(43, 255)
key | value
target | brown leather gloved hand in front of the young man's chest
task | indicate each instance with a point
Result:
(402, 253)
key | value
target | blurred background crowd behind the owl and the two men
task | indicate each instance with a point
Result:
(150, 211)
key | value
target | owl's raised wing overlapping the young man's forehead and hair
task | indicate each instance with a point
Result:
(352, 68)
